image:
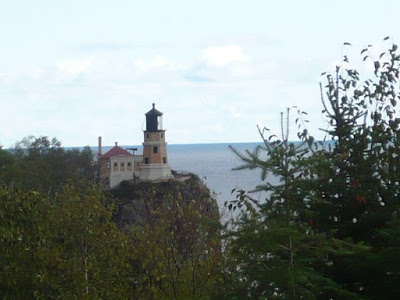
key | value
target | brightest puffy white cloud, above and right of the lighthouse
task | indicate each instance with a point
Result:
(224, 55)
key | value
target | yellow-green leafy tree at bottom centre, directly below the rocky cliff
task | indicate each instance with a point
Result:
(178, 251)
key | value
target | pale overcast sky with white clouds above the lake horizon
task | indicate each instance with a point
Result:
(79, 69)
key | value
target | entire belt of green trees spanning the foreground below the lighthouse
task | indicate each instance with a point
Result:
(329, 230)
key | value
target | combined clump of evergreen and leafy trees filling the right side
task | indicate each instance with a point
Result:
(329, 228)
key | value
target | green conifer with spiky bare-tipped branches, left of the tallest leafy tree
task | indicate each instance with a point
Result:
(274, 243)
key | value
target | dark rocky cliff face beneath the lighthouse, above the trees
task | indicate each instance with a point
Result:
(137, 201)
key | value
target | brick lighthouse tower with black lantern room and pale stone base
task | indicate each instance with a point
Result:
(155, 161)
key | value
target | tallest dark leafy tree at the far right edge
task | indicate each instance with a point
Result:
(360, 180)
